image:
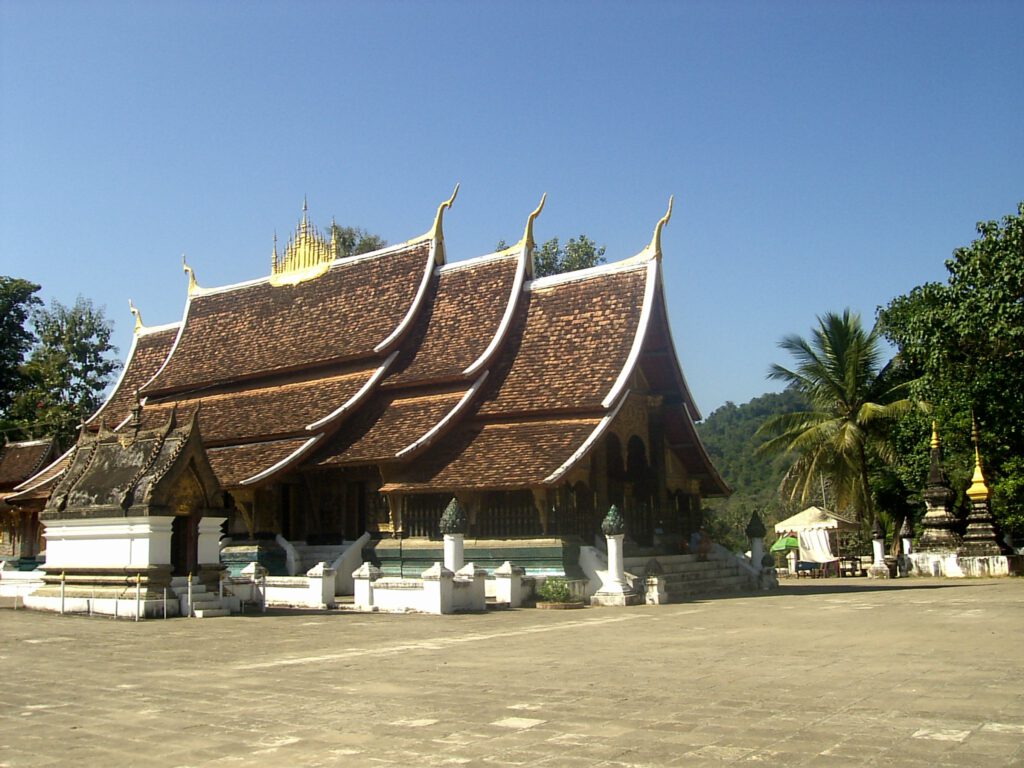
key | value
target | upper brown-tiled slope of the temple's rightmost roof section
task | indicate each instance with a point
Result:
(570, 345)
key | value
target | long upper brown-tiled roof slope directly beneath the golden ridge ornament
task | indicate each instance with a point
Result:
(259, 329)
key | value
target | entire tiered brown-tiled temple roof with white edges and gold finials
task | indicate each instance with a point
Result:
(472, 375)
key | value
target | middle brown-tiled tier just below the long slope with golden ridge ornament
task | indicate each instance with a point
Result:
(244, 416)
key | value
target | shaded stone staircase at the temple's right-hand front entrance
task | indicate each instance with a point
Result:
(682, 578)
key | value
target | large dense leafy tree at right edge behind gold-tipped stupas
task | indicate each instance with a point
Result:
(965, 343)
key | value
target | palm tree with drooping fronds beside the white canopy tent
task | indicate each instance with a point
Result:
(851, 403)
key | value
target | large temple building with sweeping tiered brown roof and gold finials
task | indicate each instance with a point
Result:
(343, 396)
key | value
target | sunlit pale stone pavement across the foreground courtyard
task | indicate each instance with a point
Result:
(826, 672)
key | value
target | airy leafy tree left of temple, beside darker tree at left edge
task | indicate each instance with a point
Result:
(68, 370)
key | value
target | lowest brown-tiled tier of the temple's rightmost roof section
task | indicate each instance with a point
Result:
(495, 456)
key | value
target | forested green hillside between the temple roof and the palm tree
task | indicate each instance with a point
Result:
(729, 434)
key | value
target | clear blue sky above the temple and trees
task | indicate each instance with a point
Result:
(823, 155)
